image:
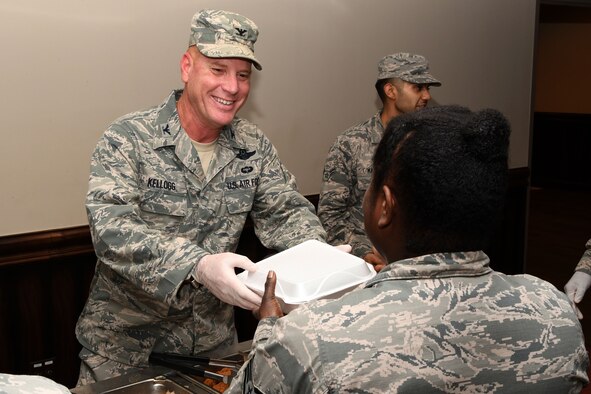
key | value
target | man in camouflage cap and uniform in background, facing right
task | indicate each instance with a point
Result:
(403, 86)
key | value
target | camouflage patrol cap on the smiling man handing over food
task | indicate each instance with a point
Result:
(221, 34)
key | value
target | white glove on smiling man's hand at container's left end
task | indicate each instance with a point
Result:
(216, 272)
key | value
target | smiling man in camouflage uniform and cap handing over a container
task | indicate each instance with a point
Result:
(170, 190)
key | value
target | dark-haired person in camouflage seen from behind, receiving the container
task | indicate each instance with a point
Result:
(437, 318)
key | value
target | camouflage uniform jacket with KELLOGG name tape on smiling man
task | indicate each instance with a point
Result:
(154, 214)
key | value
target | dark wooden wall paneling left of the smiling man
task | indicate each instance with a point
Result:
(44, 283)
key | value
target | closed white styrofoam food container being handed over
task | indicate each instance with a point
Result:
(309, 271)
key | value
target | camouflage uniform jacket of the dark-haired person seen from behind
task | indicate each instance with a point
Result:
(435, 323)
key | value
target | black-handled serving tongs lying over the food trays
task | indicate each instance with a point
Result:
(195, 365)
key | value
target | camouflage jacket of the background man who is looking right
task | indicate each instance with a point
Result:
(346, 177)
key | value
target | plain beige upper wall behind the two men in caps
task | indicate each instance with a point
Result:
(69, 67)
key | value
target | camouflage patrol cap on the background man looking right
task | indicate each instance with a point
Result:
(408, 67)
